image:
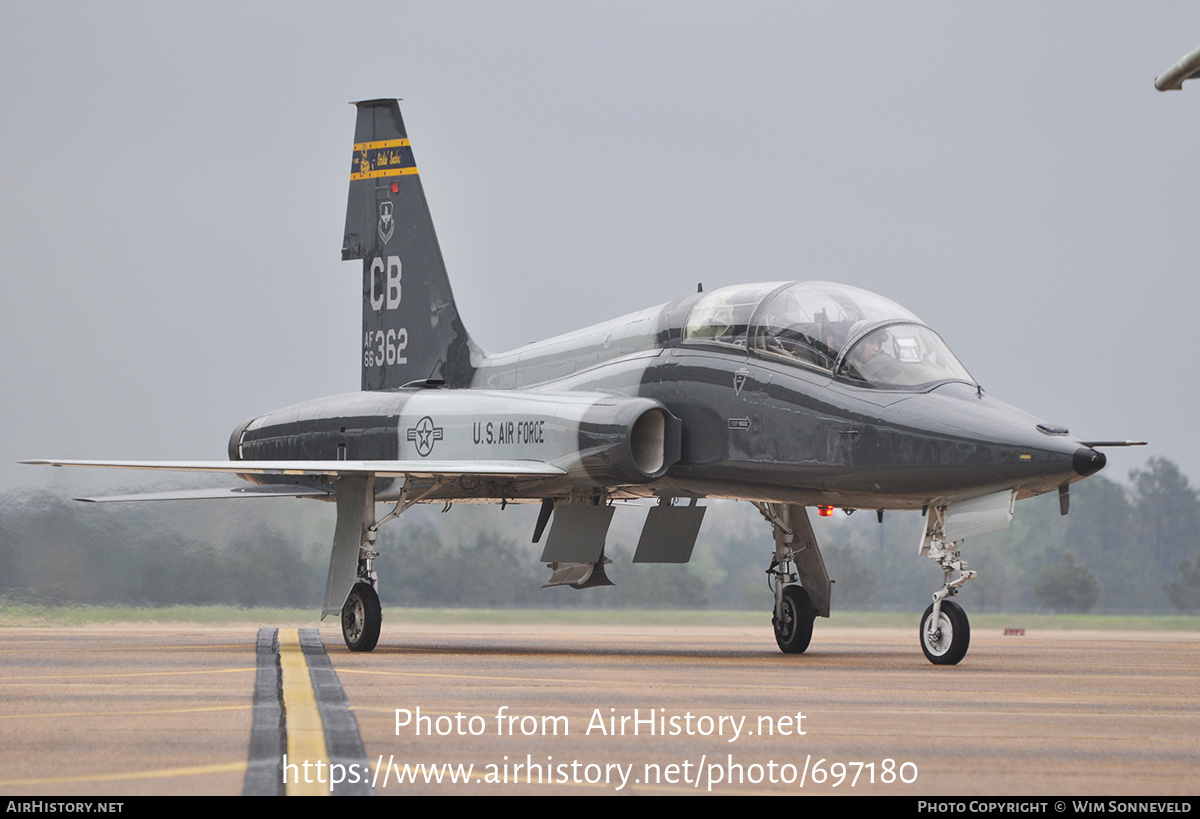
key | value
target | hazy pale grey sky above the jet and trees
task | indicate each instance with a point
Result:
(175, 188)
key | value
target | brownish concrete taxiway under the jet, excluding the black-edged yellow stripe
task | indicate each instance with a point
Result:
(100, 712)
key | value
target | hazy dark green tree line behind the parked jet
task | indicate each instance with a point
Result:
(1123, 549)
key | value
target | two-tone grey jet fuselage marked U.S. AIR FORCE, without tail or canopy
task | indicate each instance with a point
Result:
(751, 427)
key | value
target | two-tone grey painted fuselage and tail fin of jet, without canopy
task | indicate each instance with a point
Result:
(751, 427)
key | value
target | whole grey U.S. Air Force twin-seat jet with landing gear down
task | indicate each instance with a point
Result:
(789, 396)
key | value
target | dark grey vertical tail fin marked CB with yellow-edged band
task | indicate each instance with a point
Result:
(411, 326)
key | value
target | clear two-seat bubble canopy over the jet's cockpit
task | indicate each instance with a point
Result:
(844, 331)
